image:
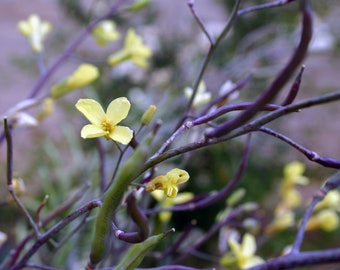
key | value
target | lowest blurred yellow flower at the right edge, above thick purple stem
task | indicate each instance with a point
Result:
(326, 220)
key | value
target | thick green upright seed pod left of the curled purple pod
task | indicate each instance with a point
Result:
(128, 172)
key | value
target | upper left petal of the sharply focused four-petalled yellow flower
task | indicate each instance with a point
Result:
(92, 110)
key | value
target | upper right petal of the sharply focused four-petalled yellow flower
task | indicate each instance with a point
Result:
(118, 109)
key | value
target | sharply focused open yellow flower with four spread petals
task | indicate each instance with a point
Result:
(105, 124)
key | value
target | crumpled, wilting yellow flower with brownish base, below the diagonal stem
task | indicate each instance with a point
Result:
(168, 183)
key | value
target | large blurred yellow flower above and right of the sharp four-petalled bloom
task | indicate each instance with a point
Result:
(133, 50)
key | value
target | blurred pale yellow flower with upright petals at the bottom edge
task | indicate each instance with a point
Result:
(244, 252)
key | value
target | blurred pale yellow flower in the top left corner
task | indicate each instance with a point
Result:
(36, 30)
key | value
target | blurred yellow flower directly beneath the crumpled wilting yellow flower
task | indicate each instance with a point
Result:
(165, 202)
